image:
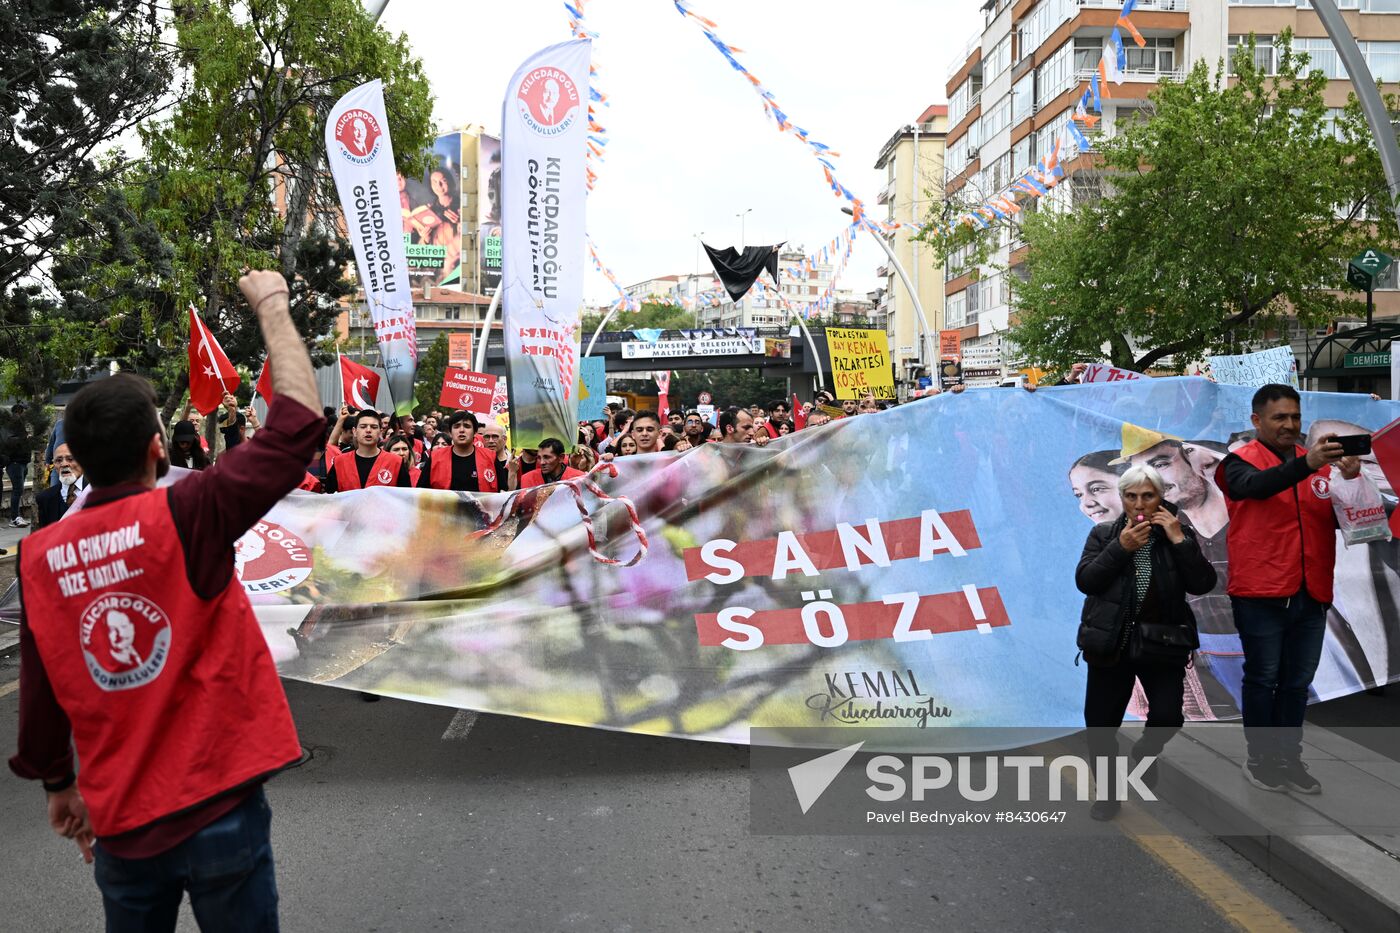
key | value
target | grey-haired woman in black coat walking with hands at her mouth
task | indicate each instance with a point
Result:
(1137, 627)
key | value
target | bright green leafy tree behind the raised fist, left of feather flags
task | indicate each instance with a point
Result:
(236, 179)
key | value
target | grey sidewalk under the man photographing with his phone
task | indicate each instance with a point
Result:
(1339, 850)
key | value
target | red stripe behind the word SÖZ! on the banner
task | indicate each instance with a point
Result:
(937, 614)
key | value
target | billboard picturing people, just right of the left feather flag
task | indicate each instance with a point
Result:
(433, 216)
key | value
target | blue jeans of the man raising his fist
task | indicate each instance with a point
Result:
(227, 869)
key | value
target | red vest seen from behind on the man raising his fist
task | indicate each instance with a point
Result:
(173, 698)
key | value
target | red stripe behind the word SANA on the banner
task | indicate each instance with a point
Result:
(825, 551)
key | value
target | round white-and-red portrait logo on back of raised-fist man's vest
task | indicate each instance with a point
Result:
(125, 641)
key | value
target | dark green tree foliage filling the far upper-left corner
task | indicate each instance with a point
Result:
(76, 76)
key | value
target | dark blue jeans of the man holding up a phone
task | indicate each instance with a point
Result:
(1283, 645)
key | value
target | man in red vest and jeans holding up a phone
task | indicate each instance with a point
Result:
(1282, 540)
